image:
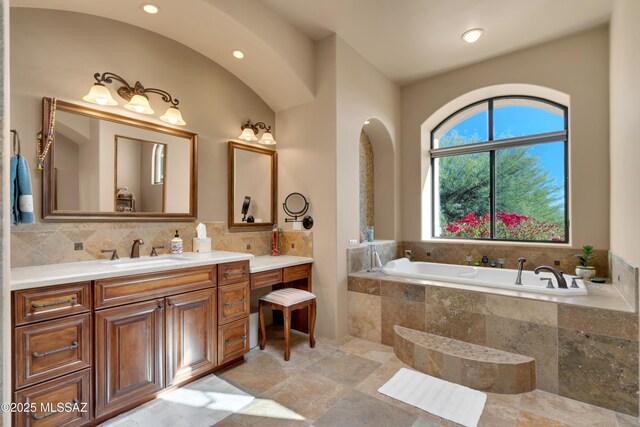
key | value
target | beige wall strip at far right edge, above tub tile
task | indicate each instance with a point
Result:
(625, 111)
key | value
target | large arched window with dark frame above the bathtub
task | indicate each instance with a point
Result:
(500, 171)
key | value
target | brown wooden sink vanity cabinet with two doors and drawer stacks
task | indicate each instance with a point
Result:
(116, 343)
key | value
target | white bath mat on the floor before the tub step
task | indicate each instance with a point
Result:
(447, 400)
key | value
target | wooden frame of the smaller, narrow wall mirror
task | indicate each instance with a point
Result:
(233, 146)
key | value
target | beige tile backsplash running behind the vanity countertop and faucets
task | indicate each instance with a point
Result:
(52, 243)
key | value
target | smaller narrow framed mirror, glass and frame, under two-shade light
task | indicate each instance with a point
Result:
(252, 187)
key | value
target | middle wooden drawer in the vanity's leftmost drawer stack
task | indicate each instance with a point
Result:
(48, 349)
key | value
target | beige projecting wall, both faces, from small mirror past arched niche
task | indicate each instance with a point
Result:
(319, 156)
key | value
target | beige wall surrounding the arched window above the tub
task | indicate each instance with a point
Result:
(576, 65)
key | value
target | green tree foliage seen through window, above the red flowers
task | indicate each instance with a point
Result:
(523, 185)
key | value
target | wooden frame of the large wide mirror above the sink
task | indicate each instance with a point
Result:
(52, 215)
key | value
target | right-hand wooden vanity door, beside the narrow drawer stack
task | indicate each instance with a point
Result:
(191, 335)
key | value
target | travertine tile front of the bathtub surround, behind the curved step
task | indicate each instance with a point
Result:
(588, 354)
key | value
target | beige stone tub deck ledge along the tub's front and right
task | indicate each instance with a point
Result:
(604, 296)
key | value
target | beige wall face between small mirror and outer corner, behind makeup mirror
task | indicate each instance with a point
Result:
(307, 164)
